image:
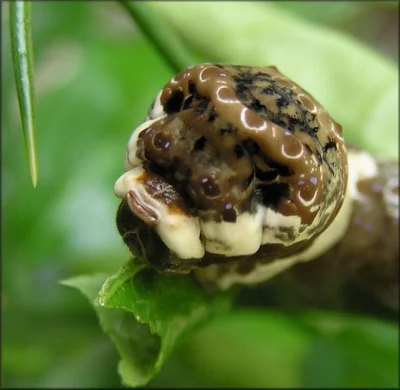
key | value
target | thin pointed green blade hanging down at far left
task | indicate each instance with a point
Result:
(22, 54)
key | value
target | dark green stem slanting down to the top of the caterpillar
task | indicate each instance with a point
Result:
(169, 46)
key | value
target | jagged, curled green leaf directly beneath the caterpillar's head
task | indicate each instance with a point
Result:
(147, 314)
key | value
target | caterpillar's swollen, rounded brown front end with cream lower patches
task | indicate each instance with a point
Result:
(233, 163)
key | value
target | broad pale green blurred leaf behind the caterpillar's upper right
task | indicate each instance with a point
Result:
(354, 83)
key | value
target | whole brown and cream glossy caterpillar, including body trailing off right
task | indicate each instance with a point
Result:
(238, 174)
